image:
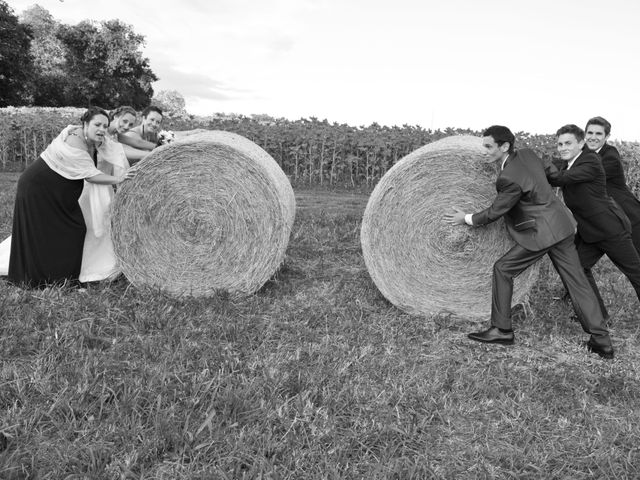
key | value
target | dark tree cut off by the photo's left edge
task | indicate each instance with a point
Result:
(16, 65)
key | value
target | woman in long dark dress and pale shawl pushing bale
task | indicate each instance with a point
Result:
(48, 225)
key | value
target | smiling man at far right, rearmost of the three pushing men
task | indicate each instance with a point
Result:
(596, 134)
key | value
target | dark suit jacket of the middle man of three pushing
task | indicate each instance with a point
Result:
(585, 193)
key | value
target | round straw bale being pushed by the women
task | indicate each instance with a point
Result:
(211, 211)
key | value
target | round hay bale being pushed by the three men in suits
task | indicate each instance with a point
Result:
(422, 264)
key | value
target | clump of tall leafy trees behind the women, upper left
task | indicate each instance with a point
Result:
(44, 62)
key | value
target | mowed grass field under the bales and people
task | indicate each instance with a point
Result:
(316, 376)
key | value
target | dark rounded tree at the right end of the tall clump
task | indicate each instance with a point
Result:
(105, 65)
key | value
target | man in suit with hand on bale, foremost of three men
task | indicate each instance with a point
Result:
(539, 224)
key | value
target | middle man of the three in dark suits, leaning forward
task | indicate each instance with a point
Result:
(603, 227)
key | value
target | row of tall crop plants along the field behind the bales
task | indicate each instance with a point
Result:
(310, 151)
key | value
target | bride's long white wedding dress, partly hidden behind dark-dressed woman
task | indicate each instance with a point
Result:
(98, 257)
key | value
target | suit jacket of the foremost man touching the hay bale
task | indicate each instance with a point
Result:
(534, 216)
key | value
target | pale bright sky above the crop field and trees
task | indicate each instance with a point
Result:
(532, 66)
